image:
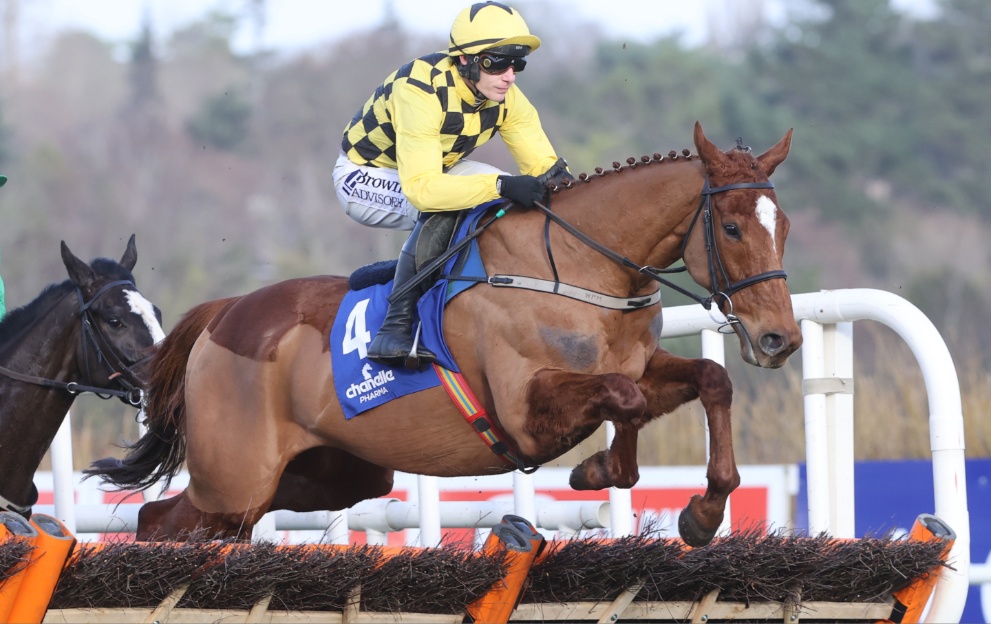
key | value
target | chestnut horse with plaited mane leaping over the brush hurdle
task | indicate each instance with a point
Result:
(243, 391)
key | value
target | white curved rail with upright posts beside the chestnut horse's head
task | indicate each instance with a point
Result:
(827, 356)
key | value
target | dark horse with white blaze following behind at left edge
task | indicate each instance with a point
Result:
(95, 333)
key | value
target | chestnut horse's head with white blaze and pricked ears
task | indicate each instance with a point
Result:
(736, 248)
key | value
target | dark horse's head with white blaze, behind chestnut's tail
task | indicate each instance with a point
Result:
(120, 326)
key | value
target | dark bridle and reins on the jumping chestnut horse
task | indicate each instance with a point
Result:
(717, 272)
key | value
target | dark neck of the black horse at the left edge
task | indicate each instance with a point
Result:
(30, 414)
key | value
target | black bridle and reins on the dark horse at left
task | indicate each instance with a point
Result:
(92, 337)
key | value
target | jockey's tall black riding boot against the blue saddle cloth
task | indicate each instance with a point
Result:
(393, 343)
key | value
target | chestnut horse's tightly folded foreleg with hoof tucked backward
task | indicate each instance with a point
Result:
(570, 406)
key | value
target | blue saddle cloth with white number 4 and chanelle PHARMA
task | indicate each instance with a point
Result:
(362, 384)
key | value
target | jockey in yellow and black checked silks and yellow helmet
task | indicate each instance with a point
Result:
(403, 158)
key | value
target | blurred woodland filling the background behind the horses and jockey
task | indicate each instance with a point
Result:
(221, 161)
